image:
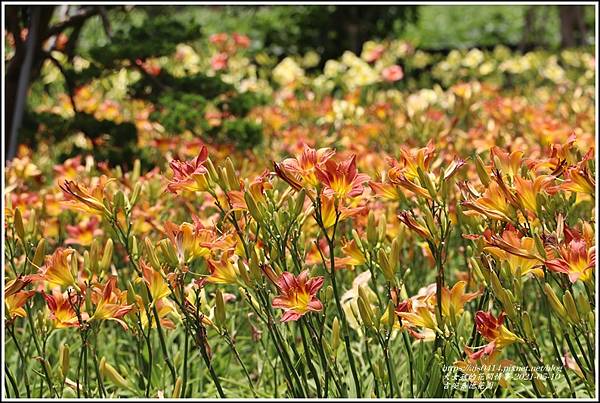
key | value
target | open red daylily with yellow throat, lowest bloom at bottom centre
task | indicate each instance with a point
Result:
(298, 295)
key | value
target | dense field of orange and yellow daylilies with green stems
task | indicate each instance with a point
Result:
(410, 225)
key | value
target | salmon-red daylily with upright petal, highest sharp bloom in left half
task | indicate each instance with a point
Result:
(189, 175)
